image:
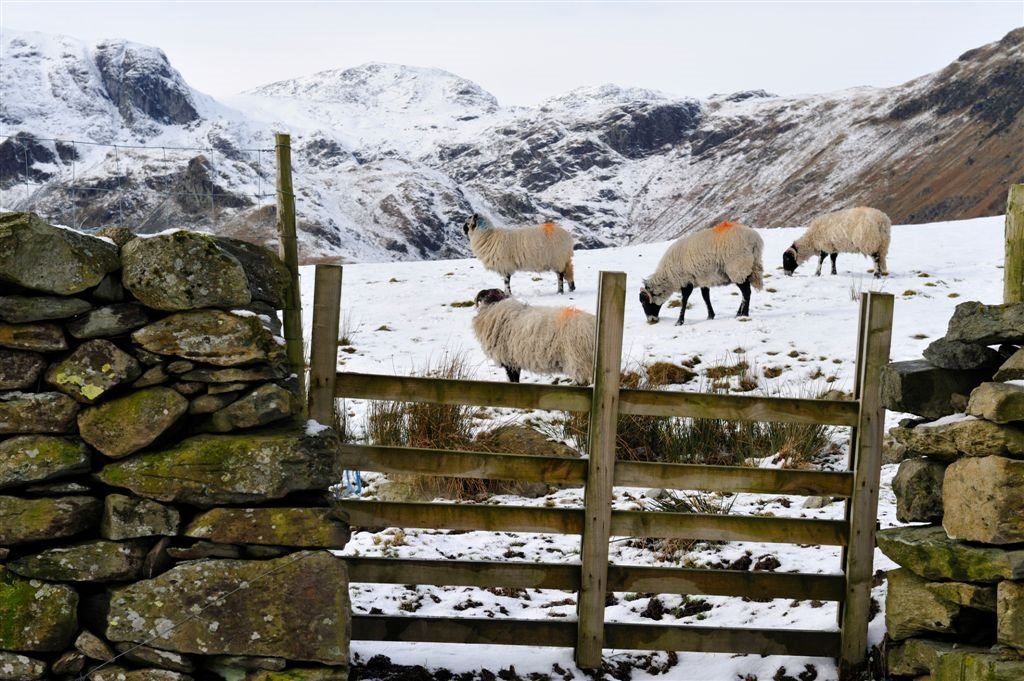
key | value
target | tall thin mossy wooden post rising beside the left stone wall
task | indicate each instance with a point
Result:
(288, 250)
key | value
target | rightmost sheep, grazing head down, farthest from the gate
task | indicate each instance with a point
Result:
(852, 231)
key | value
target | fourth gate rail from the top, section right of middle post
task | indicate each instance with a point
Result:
(743, 584)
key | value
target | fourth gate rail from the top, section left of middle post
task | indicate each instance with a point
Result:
(465, 574)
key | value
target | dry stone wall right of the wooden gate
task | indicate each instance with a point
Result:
(955, 610)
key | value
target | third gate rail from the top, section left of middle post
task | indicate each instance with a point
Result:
(462, 517)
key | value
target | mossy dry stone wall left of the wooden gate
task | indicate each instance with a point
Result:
(164, 513)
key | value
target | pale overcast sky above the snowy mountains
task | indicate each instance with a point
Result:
(525, 53)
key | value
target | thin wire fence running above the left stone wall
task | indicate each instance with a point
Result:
(148, 188)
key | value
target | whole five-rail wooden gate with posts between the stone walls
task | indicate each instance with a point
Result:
(598, 523)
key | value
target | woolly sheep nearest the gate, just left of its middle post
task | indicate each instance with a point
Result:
(545, 340)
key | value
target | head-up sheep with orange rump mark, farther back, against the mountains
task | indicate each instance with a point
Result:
(539, 249)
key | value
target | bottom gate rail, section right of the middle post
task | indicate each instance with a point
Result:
(723, 640)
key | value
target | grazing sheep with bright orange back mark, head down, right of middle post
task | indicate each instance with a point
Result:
(729, 253)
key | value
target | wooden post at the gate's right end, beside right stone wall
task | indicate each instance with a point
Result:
(876, 336)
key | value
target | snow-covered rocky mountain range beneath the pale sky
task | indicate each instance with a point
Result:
(389, 160)
